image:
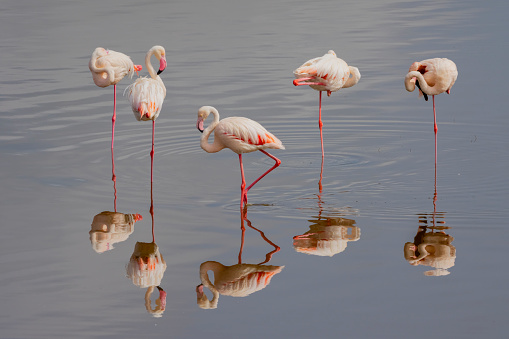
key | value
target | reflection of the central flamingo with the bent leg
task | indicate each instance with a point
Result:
(239, 280)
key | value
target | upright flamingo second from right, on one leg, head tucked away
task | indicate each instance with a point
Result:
(327, 73)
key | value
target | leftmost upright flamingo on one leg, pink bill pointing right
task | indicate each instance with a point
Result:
(108, 68)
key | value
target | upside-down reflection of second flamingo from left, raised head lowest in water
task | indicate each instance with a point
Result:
(146, 268)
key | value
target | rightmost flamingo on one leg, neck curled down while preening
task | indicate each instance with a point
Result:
(432, 77)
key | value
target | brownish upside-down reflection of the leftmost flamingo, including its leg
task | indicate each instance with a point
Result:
(108, 227)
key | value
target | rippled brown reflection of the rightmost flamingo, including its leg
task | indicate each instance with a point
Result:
(432, 246)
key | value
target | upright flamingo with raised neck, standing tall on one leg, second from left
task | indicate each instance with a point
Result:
(146, 95)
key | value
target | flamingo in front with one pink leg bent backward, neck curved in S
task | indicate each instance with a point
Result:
(241, 135)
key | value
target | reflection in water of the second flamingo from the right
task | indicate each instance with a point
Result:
(327, 235)
